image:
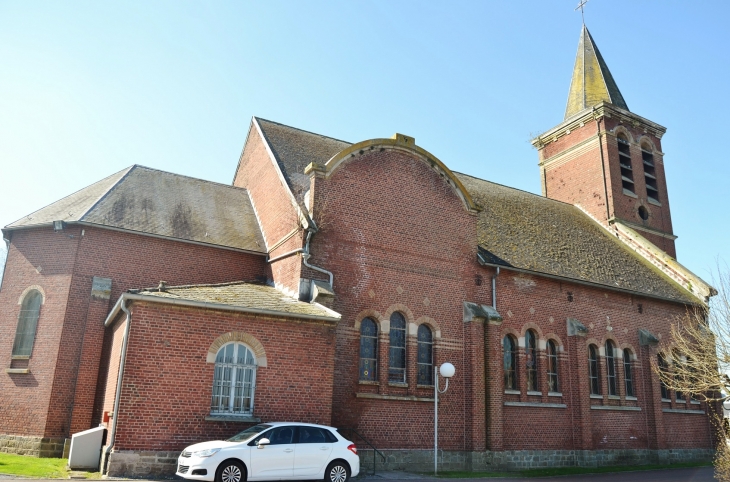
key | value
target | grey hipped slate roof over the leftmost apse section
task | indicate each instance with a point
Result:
(149, 201)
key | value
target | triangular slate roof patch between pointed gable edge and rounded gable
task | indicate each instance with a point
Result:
(294, 149)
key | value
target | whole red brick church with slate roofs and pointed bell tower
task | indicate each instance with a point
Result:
(329, 281)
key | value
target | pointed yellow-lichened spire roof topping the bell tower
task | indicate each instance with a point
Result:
(592, 82)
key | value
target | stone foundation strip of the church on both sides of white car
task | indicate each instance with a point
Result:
(162, 465)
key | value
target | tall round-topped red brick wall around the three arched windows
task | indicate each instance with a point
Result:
(398, 238)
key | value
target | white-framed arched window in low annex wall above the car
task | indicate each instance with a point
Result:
(234, 380)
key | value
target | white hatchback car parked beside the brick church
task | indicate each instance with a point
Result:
(273, 451)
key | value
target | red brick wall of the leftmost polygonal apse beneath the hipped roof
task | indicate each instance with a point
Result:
(63, 381)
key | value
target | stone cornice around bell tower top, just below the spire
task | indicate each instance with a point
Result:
(604, 109)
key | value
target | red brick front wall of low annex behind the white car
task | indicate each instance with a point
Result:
(167, 383)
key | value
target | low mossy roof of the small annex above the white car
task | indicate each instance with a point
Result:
(243, 295)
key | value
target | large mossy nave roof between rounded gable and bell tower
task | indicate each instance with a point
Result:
(533, 233)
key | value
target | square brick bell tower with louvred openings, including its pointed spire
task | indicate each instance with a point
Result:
(604, 158)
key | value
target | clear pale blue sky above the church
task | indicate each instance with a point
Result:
(89, 88)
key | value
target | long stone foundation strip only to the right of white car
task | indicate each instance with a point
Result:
(422, 460)
